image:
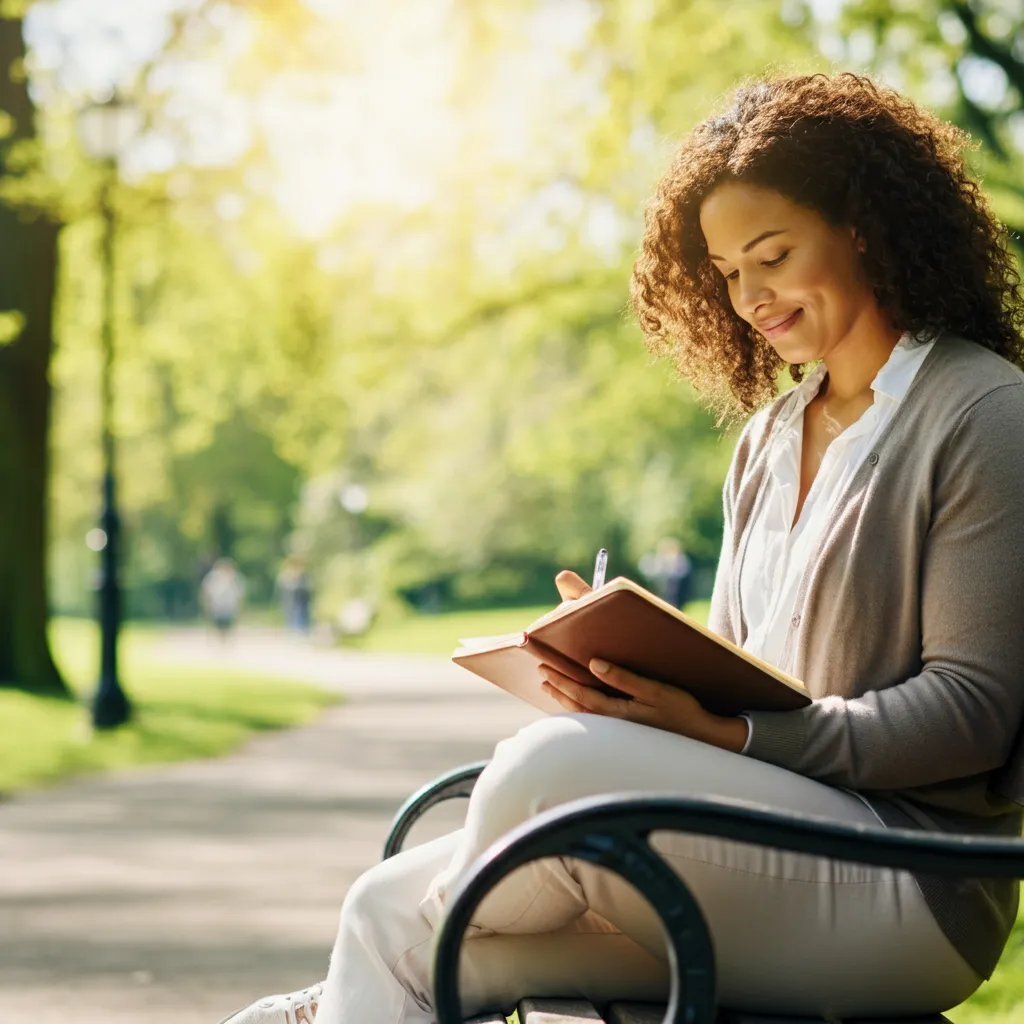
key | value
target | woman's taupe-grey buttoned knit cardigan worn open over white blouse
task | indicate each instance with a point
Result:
(910, 632)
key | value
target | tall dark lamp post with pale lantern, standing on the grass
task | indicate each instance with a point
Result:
(105, 130)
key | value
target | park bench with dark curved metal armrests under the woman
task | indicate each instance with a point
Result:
(613, 832)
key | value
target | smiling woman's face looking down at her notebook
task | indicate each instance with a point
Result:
(794, 277)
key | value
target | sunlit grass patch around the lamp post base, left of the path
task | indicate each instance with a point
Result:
(181, 713)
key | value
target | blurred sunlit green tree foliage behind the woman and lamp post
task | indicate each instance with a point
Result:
(465, 355)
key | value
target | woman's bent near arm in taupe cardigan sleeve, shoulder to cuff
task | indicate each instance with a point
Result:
(960, 715)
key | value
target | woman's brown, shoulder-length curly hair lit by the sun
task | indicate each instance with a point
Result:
(860, 155)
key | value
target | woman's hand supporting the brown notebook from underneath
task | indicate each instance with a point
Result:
(650, 703)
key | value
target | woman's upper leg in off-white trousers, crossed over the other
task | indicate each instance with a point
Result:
(793, 933)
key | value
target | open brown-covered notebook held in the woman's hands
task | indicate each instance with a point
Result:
(628, 626)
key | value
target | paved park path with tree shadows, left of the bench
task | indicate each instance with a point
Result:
(173, 895)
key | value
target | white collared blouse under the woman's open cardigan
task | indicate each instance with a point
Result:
(777, 553)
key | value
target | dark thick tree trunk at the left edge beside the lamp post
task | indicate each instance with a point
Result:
(28, 283)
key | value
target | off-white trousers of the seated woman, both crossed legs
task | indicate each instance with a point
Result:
(793, 933)
